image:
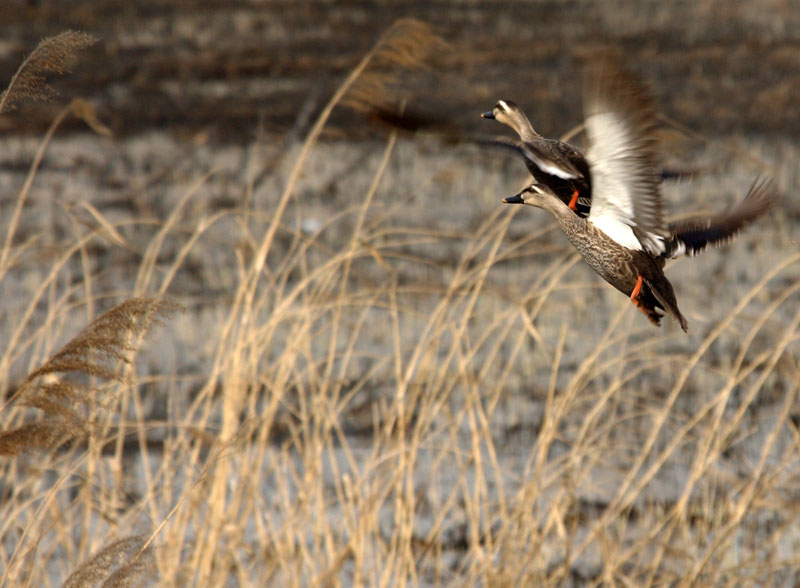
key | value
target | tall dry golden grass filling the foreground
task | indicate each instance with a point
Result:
(384, 405)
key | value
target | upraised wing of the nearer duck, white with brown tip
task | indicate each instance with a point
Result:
(620, 124)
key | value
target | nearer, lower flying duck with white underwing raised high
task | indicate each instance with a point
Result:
(624, 238)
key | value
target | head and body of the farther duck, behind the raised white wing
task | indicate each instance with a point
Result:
(557, 164)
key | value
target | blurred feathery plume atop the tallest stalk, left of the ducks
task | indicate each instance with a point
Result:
(408, 44)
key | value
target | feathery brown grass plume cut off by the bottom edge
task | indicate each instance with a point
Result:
(118, 564)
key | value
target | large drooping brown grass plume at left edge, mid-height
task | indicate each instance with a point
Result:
(102, 350)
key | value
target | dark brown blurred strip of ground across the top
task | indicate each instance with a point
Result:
(226, 68)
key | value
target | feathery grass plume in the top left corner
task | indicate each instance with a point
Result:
(53, 55)
